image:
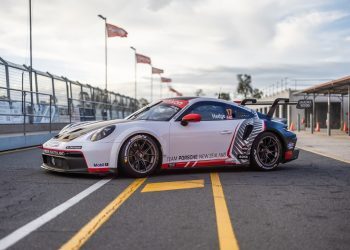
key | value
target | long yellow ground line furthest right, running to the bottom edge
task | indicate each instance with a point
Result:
(227, 238)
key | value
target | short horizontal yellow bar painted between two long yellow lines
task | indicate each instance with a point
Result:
(172, 185)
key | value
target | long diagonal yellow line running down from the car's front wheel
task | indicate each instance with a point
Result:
(78, 240)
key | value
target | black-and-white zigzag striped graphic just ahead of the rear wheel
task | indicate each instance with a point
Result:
(246, 134)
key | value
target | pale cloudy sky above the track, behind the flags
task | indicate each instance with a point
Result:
(200, 44)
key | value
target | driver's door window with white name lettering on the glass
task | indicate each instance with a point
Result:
(210, 111)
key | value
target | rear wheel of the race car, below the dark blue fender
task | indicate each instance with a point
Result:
(266, 153)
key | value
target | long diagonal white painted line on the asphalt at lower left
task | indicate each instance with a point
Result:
(23, 231)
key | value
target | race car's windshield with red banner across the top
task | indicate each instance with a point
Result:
(162, 111)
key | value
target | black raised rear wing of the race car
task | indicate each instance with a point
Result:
(301, 104)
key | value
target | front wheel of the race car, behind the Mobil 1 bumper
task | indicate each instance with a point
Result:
(140, 156)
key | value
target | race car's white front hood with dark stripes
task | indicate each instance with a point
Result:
(78, 129)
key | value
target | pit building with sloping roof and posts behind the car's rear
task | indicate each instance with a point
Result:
(331, 100)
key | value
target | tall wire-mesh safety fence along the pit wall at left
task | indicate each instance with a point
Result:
(48, 98)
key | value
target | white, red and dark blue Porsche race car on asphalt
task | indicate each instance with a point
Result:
(186, 132)
